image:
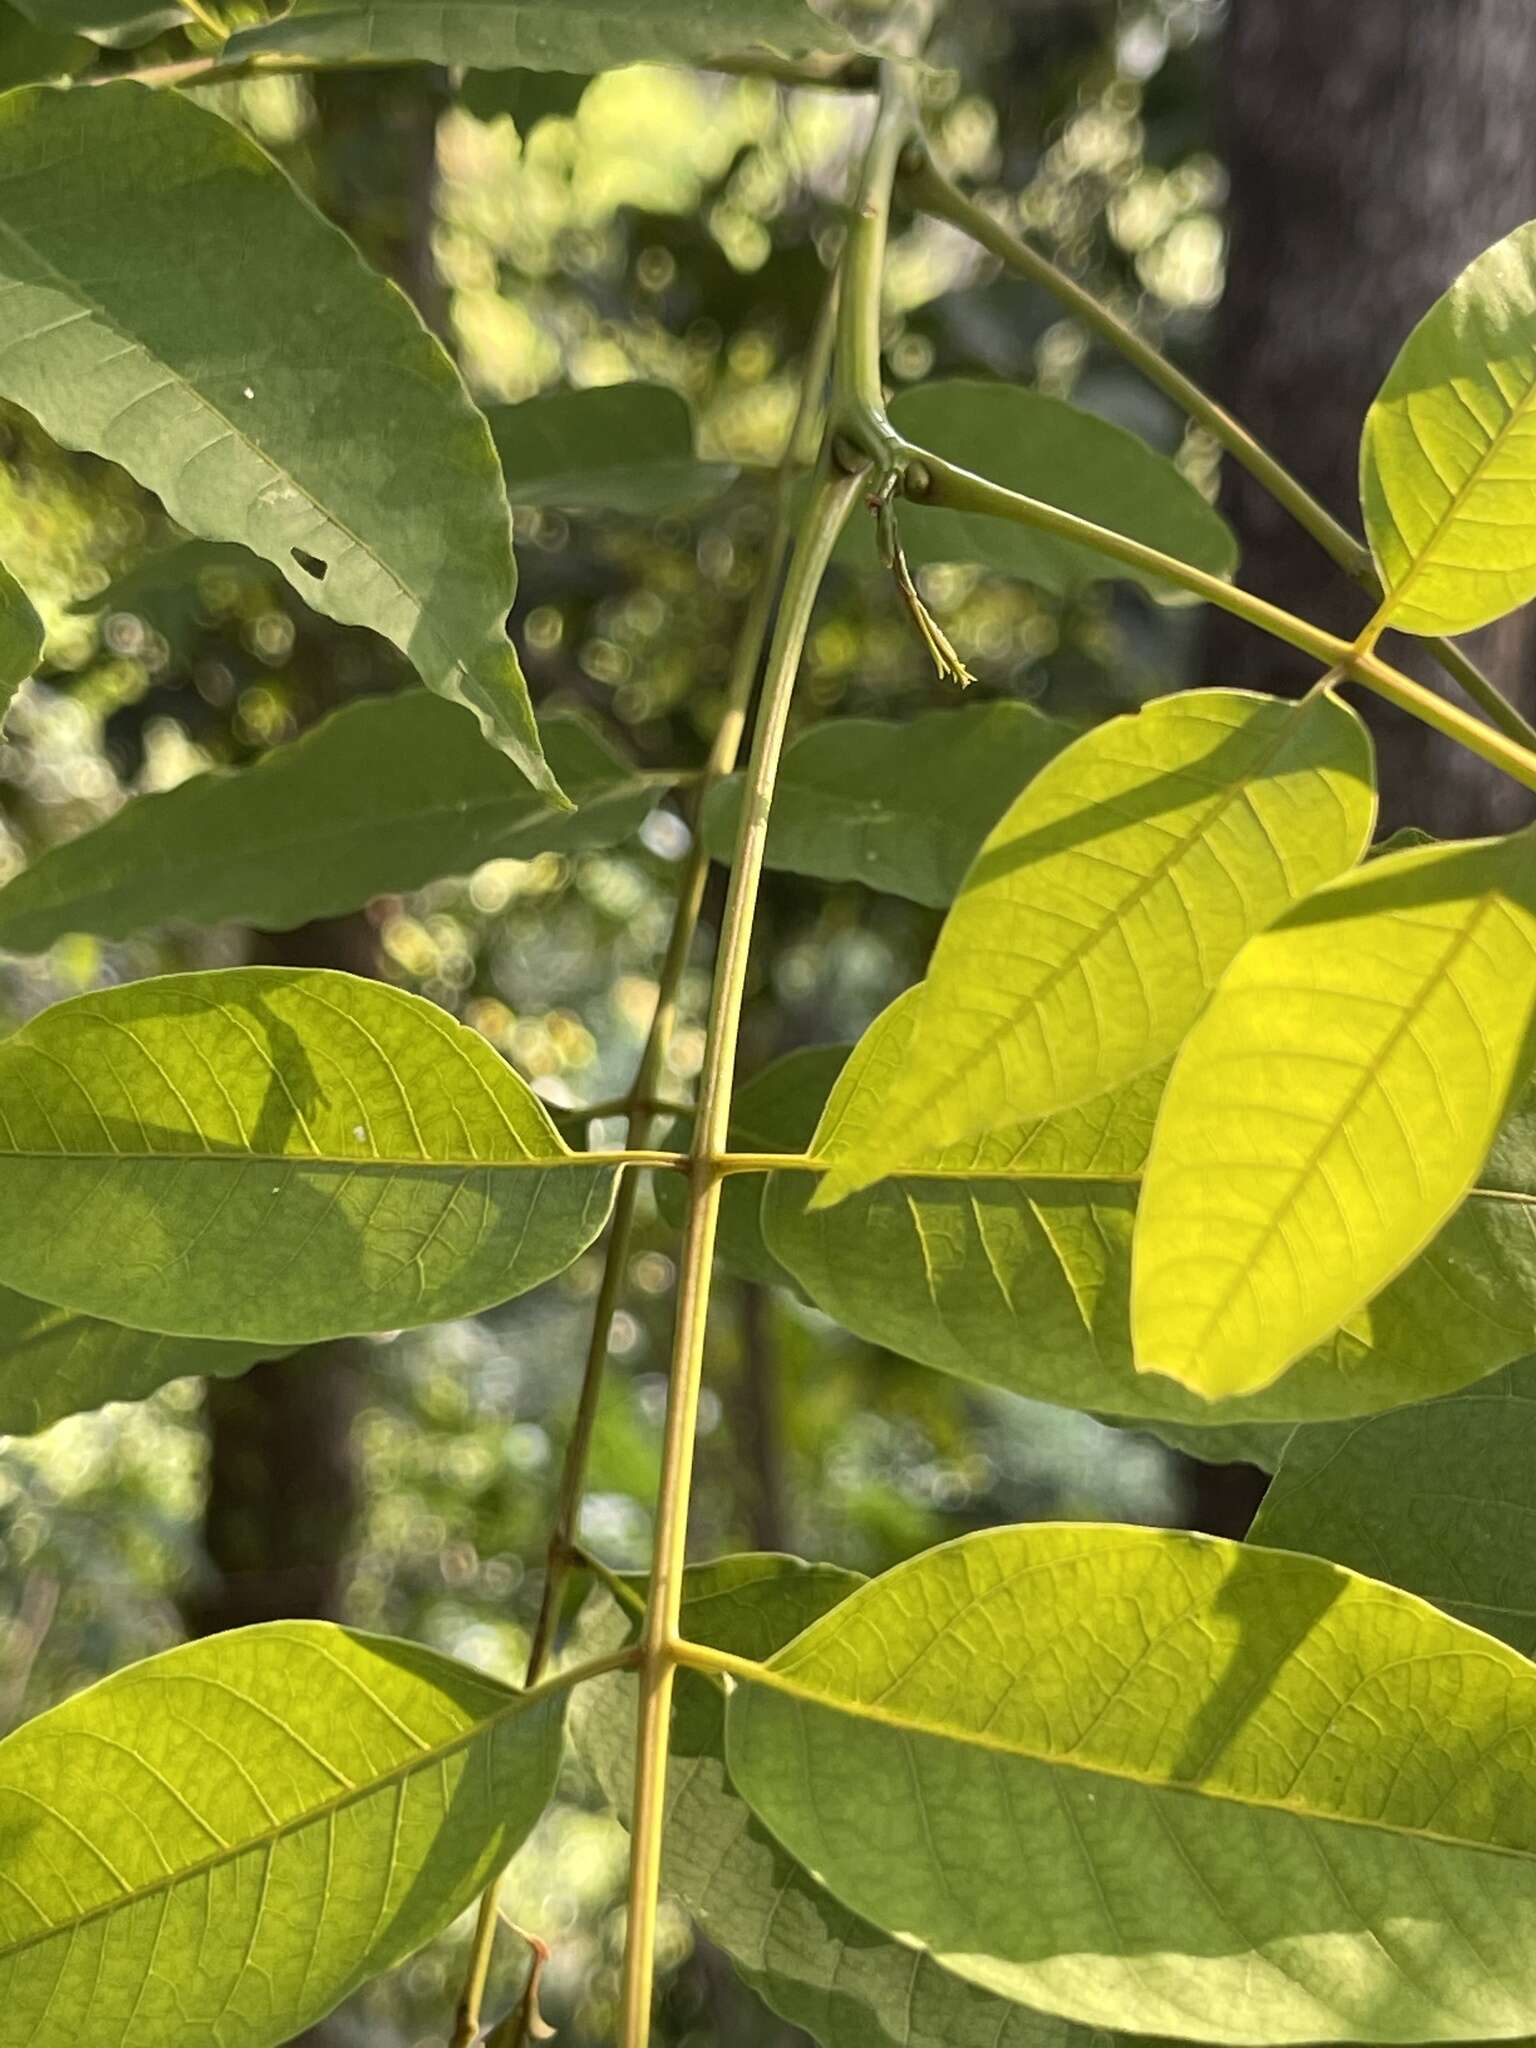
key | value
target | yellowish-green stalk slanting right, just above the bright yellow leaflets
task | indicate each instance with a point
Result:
(931, 480)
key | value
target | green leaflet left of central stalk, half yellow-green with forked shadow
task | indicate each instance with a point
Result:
(278, 1156)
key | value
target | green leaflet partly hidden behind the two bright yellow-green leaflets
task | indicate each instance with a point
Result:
(1009, 1261)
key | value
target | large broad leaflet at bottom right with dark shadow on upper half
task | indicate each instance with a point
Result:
(1162, 1783)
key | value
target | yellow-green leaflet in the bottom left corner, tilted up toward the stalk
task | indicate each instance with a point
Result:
(224, 1842)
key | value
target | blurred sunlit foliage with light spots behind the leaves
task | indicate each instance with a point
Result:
(566, 234)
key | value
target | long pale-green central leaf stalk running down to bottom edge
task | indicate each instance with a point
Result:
(822, 523)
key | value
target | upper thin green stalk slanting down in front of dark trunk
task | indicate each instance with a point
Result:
(929, 189)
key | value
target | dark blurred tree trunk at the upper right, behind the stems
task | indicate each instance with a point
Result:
(1373, 153)
